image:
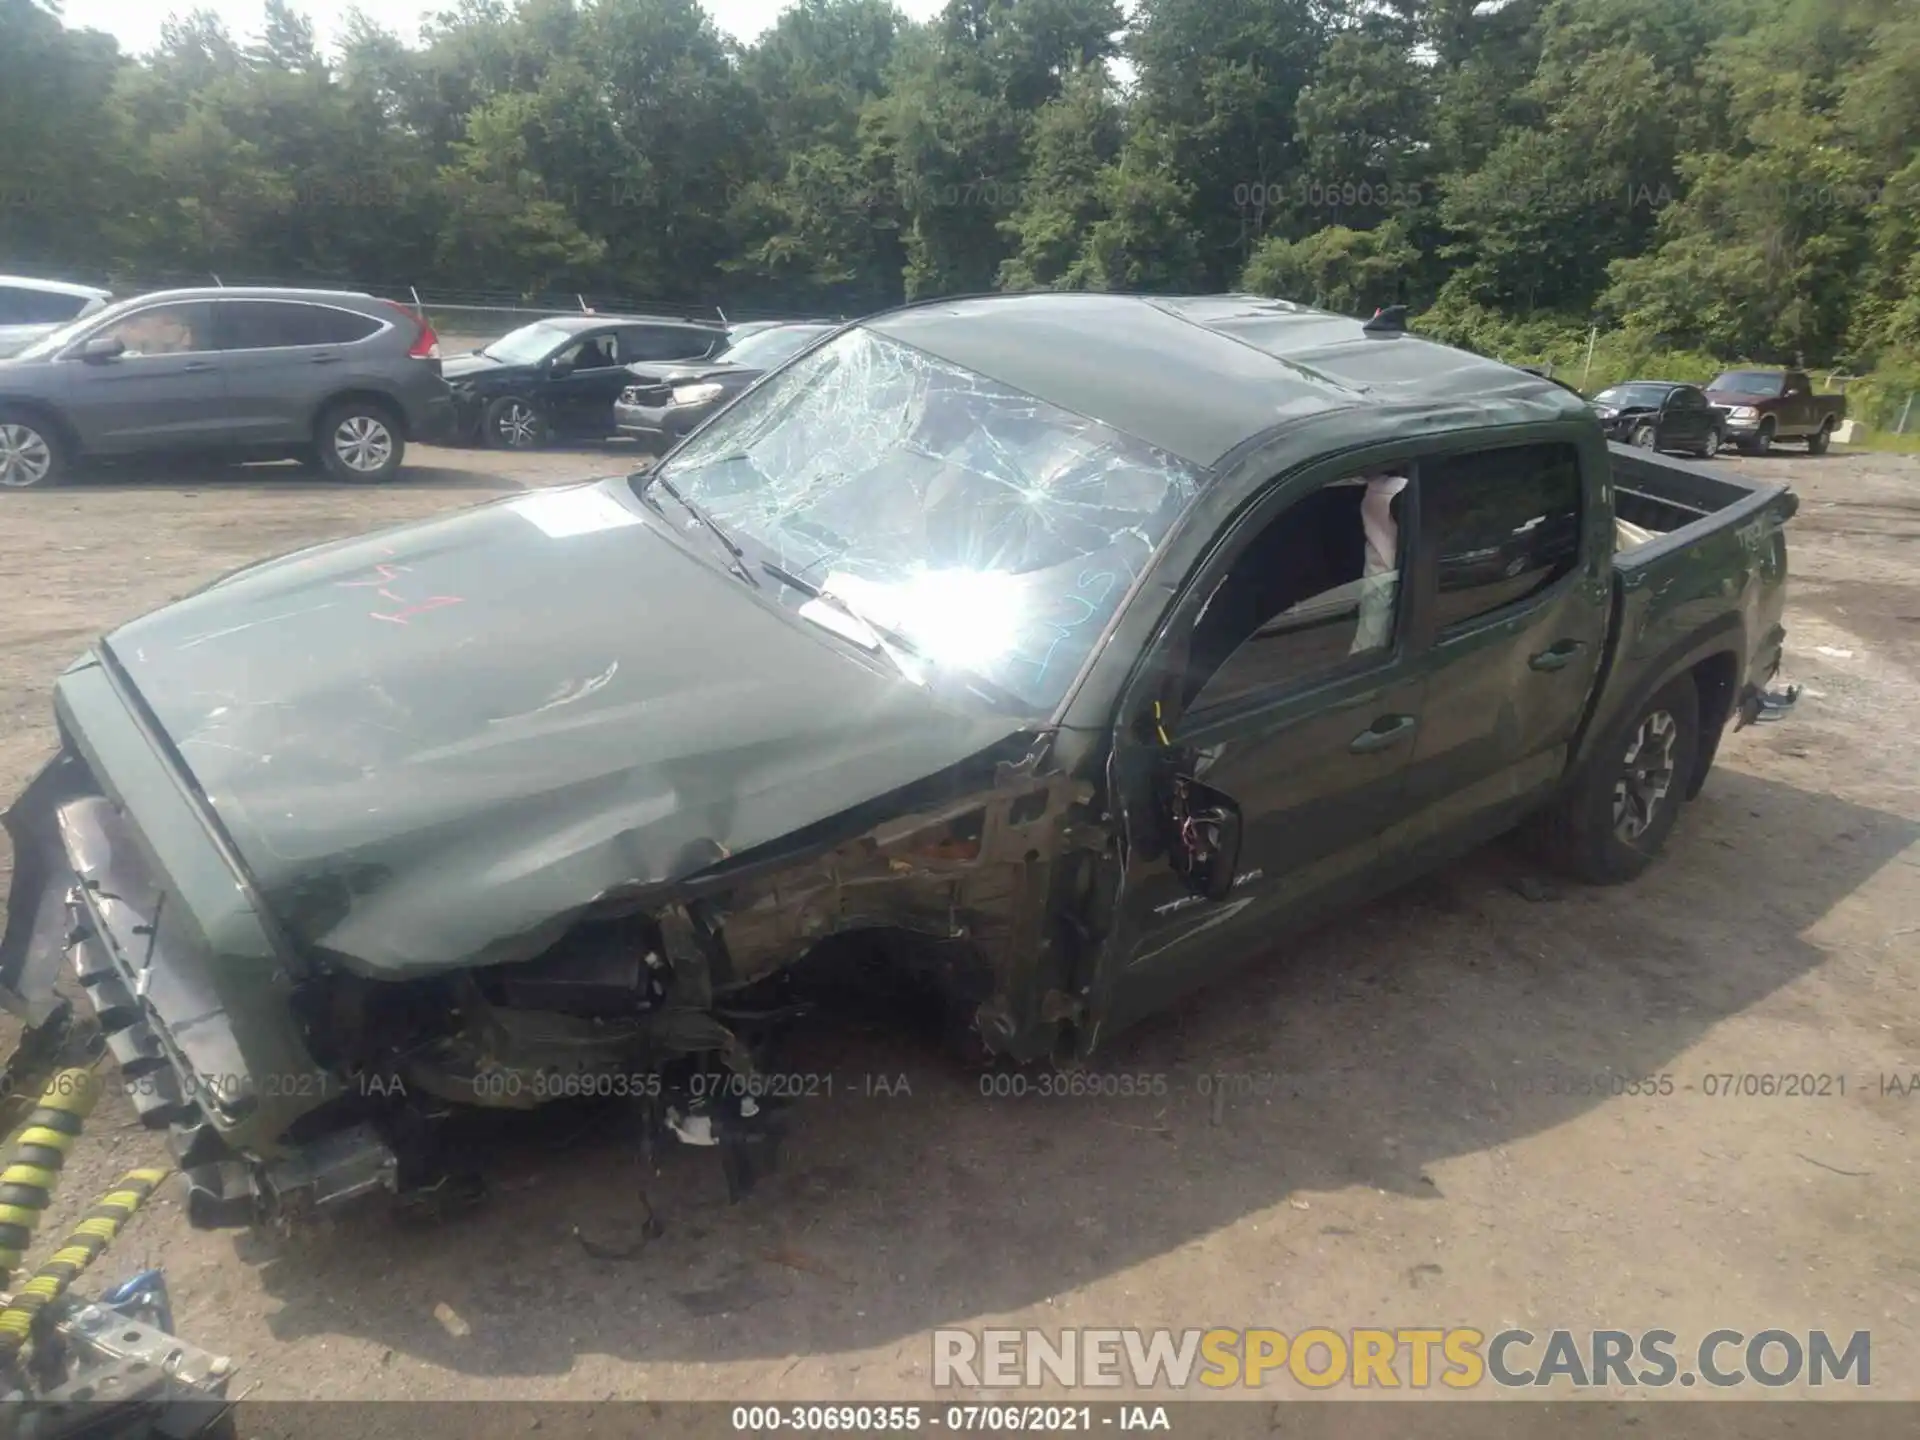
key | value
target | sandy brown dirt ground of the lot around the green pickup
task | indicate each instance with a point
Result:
(1401, 1147)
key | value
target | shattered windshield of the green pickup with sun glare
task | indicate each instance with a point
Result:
(994, 533)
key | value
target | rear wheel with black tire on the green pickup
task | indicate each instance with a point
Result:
(1616, 817)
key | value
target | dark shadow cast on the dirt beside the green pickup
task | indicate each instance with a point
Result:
(1422, 1028)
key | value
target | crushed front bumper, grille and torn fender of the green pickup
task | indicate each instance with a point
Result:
(293, 1080)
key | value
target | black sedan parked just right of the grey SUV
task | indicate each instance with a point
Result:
(560, 377)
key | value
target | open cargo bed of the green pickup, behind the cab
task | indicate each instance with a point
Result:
(1714, 575)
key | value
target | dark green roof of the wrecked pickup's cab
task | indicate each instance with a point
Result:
(1201, 375)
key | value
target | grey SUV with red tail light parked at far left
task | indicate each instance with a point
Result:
(337, 379)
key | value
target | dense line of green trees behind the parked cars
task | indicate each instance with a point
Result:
(1737, 178)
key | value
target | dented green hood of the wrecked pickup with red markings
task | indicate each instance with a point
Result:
(437, 744)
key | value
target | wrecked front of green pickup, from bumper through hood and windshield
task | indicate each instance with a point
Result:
(560, 794)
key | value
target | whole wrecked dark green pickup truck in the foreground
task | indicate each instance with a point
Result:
(1055, 652)
